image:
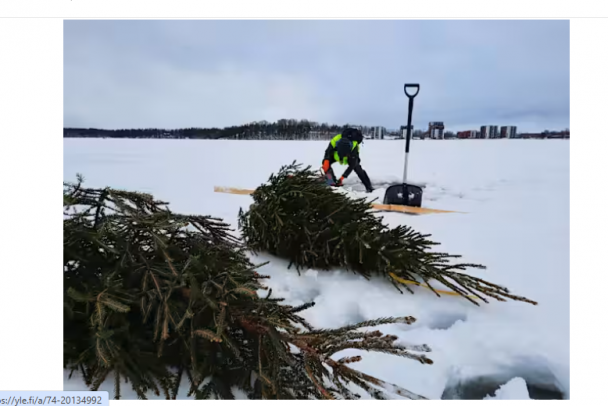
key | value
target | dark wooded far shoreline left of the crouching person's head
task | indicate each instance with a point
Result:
(281, 130)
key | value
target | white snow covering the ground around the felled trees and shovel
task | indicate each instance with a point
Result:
(515, 194)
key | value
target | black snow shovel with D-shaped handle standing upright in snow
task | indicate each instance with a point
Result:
(405, 194)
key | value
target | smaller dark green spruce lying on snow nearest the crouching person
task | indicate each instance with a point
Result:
(297, 217)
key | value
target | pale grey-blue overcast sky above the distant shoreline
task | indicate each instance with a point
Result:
(175, 74)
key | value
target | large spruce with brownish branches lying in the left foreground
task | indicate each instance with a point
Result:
(152, 297)
